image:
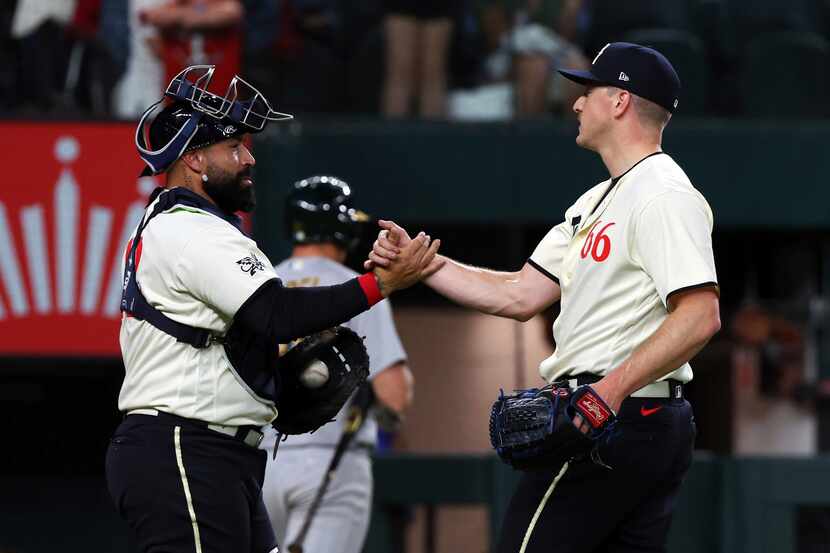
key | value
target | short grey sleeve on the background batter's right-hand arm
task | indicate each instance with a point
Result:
(382, 340)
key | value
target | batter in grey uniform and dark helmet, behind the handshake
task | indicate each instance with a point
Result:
(324, 227)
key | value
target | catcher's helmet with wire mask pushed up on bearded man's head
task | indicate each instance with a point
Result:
(189, 117)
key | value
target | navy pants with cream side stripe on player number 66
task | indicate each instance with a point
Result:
(623, 503)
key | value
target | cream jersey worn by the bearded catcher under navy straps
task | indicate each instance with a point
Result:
(197, 269)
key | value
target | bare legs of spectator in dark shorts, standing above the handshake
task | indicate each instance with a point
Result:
(417, 34)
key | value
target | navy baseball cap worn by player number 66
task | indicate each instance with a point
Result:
(638, 69)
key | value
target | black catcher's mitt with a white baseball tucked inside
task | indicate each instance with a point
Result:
(305, 409)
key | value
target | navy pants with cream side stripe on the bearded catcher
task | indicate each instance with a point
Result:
(183, 488)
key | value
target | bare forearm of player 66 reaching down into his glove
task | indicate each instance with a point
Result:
(681, 336)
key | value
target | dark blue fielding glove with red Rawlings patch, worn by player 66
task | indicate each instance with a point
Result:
(533, 430)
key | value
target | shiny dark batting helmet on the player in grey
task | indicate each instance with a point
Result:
(319, 209)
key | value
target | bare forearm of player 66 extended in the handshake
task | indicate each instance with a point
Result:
(491, 292)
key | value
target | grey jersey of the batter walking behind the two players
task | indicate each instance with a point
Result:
(376, 325)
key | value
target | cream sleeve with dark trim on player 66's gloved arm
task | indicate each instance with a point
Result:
(673, 243)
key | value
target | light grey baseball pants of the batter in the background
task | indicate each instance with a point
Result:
(342, 519)
